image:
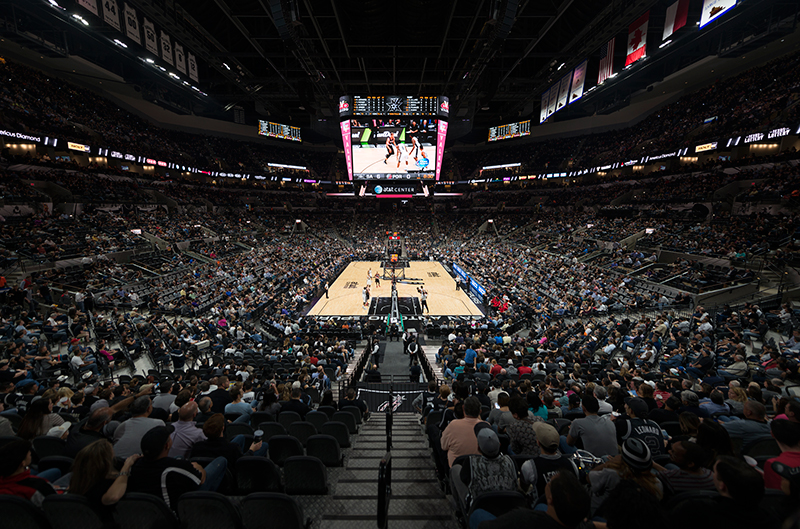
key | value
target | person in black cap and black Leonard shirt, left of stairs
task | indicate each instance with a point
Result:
(168, 478)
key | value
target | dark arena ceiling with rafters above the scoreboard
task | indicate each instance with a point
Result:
(290, 60)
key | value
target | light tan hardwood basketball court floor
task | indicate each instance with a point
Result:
(443, 298)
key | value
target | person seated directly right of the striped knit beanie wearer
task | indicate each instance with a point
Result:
(691, 473)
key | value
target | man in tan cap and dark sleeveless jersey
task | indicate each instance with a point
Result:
(537, 472)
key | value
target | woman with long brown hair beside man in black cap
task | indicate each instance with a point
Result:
(94, 477)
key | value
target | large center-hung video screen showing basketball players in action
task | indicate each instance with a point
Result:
(396, 148)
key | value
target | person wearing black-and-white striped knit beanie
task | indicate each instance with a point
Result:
(634, 463)
